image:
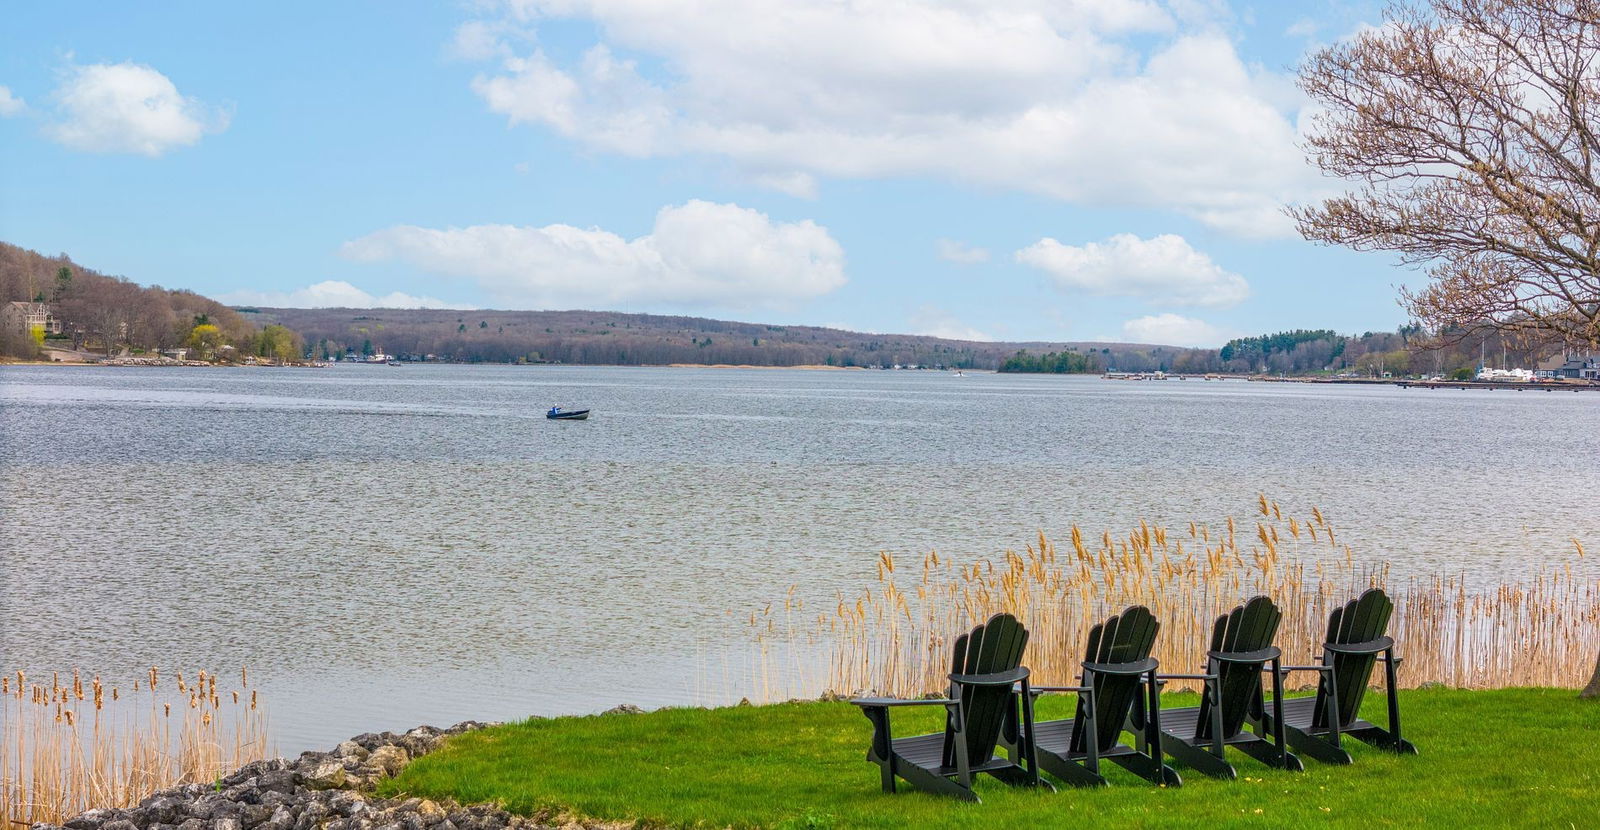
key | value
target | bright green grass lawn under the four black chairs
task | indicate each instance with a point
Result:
(1489, 759)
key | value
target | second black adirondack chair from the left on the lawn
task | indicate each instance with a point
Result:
(1118, 692)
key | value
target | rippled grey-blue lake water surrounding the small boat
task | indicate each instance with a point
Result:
(401, 546)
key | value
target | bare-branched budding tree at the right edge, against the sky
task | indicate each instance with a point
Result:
(1470, 134)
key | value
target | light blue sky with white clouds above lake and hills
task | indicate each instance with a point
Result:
(994, 170)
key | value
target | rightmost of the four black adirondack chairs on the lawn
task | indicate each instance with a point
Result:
(1356, 642)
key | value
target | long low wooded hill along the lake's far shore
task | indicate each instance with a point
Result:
(630, 340)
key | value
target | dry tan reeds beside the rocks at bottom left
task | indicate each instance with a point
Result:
(74, 743)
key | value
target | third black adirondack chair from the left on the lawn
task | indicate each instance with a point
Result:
(1241, 652)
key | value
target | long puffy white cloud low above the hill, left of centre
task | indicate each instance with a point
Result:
(698, 255)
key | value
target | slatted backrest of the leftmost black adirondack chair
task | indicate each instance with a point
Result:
(991, 648)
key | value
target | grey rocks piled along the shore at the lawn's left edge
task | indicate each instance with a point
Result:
(322, 791)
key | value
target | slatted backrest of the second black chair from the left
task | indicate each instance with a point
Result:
(1122, 642)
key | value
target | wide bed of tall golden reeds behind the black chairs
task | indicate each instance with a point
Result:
(894, 637)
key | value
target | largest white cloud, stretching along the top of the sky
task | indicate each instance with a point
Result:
(1065, 100)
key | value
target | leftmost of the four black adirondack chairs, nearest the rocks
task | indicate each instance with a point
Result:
(990, 701)
